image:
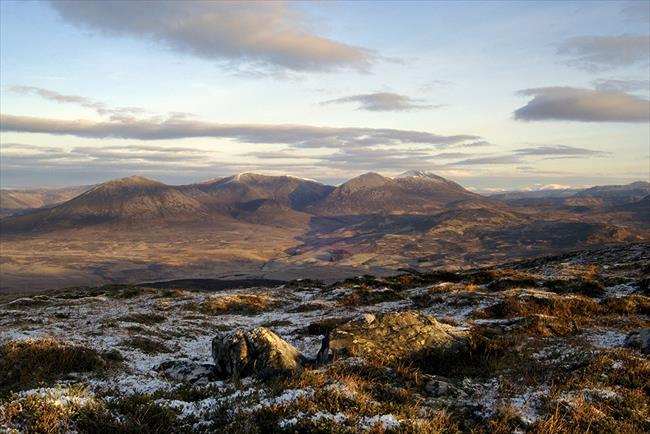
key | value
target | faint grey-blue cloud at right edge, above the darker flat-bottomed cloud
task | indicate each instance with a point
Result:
(598, 53)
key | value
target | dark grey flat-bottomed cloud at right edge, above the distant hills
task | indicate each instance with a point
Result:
(584, 105)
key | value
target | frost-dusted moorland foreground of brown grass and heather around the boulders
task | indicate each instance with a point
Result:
(546, 353)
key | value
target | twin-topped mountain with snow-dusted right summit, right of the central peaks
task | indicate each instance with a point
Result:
(411, 192)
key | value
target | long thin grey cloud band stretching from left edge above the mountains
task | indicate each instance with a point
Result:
(304, 136)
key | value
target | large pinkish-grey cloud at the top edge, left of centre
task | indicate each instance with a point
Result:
(266, 35)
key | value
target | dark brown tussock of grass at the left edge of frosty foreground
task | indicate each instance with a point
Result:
(27, 363)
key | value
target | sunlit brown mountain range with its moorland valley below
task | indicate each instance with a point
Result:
(264, 225)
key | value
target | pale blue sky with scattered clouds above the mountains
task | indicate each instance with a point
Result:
(493, 95)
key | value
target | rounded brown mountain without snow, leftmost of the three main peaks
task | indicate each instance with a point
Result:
(127, 200)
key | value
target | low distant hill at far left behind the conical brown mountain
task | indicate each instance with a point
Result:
(20, 201)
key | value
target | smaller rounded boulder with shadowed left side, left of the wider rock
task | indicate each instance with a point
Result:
(255, 352)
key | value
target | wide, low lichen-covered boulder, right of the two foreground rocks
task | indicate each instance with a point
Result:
(391, 336)
